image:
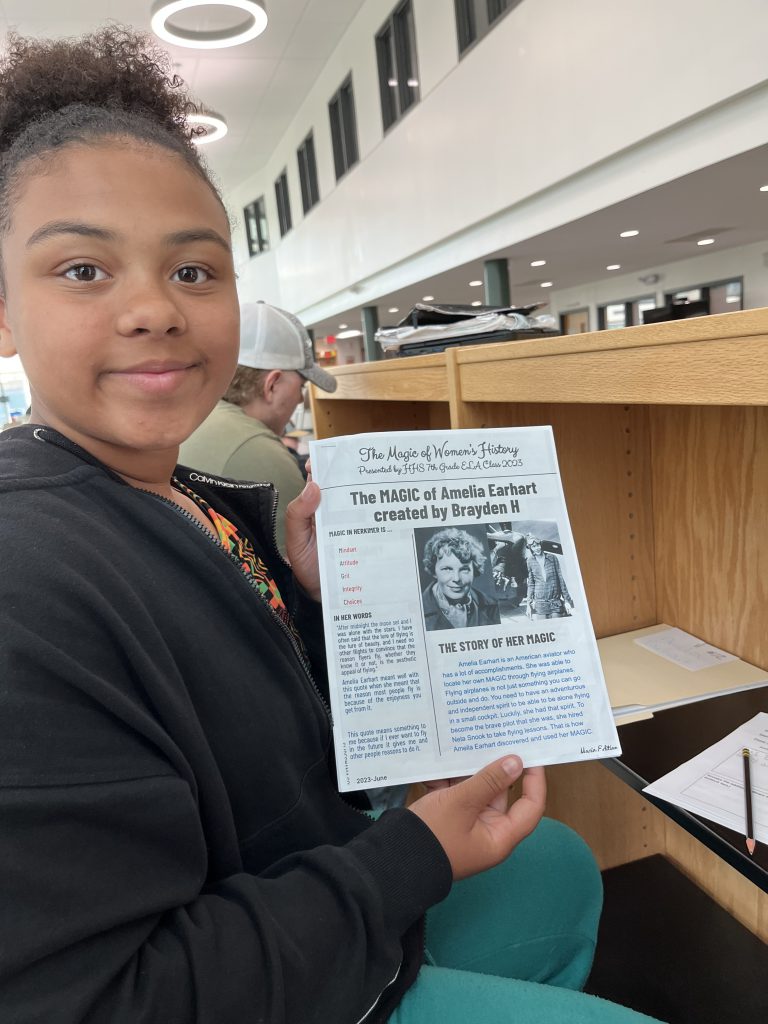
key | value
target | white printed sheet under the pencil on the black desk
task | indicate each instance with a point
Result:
(712, 784)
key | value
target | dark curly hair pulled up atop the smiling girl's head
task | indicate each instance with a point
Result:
(114, 82)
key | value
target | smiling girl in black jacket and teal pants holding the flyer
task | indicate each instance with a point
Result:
(174, 848)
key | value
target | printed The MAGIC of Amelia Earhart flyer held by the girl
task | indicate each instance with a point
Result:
(456, 621)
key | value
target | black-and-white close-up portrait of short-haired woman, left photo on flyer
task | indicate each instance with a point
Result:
(457, 585)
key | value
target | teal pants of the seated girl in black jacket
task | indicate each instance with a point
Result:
(515, 946)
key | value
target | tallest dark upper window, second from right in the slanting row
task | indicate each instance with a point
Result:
(399, 77)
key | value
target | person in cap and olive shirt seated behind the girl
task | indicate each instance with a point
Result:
(241, 439)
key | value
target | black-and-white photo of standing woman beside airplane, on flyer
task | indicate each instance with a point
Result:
(527, 567)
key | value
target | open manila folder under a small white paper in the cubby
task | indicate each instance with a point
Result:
(641, 681)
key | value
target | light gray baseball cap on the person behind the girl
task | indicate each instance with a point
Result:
(274, 339)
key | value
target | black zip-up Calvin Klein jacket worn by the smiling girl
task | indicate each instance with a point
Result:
(173, 846)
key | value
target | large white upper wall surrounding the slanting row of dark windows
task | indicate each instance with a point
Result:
(563, 109)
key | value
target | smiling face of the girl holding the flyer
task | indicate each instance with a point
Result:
(120, 298)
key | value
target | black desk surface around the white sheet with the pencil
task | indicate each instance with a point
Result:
(654, 747)
